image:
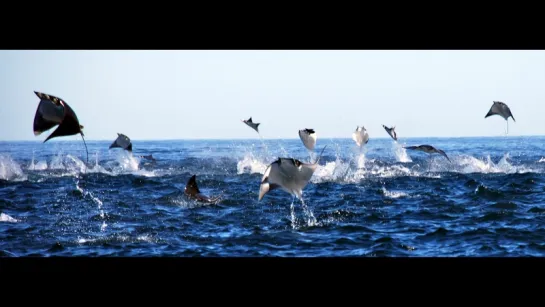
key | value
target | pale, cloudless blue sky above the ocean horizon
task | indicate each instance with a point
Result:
(204, 94)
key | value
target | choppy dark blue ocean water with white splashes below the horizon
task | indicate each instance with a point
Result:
(382, 201)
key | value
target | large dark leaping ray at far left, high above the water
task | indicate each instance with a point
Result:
(54, 111)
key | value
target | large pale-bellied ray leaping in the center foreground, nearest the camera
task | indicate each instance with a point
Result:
(288, 174)
